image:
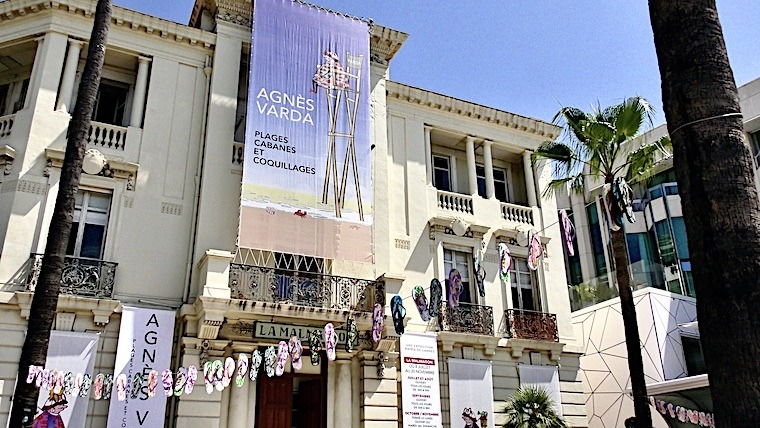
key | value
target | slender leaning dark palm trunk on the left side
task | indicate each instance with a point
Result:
(45, 300)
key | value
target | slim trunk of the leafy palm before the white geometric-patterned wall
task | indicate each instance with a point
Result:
(631, 326)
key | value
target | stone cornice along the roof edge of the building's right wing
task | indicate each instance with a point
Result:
(471, 110)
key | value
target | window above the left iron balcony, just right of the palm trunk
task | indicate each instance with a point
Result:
(88, 232)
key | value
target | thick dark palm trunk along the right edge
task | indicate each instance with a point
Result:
(715, 175)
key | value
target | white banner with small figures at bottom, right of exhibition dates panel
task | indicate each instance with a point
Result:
(470, 393)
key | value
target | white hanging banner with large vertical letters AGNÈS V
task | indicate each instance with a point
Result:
(146, 337)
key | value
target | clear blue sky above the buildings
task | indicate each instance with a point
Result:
(528, 57)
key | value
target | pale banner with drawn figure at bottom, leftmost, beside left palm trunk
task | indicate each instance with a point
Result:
(71, 353)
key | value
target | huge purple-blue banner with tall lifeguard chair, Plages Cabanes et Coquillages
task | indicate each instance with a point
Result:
(307, 179)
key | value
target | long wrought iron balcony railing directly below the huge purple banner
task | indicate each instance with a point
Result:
(265, 284)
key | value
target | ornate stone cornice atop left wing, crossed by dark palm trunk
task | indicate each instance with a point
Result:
(125, 18)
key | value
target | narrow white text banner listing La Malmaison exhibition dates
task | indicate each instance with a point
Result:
(420, 388)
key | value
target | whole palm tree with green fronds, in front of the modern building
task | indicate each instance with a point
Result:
(598, 147)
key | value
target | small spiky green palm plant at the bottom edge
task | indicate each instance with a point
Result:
(531, 407)
